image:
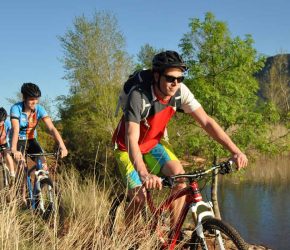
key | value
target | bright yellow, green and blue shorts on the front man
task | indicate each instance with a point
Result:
(155, 160)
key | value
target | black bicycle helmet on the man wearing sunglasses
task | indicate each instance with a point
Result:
(167, 59)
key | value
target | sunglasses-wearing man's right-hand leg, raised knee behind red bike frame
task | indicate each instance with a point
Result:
(162, 159)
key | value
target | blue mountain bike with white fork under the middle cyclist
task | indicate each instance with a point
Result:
(42, 194)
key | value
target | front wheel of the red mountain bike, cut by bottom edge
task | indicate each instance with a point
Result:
(230, 236)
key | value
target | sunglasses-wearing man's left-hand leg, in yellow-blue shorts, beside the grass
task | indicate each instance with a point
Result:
(135, 192)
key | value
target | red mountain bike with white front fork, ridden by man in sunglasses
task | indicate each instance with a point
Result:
(207, 232)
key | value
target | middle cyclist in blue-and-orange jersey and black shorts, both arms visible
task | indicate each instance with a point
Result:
(24, 117)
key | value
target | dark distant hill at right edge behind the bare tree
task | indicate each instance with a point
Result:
(277, 68)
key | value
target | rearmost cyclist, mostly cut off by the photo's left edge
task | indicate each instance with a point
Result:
(5, 129)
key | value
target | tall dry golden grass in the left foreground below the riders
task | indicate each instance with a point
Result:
(86, 203)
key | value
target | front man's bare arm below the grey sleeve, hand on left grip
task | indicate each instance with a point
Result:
(132, 137)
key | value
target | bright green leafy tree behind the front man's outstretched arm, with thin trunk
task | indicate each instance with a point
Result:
(221, 70)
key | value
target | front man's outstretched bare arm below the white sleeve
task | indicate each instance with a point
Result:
(217, 133)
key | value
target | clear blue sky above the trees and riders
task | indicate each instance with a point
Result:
(31, 52)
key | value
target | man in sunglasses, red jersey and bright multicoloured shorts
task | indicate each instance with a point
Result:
(140, 154)
